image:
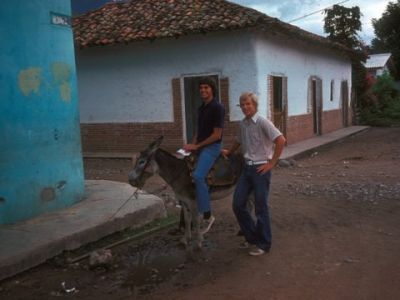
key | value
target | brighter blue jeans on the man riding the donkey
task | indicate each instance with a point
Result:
(205, 161)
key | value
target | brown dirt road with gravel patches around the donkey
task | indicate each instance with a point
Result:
(336, 235)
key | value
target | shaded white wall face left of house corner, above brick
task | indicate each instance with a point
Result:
(132, 83)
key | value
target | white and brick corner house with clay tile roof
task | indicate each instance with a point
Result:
(138, 64)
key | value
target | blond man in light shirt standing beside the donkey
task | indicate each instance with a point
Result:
(262, 146)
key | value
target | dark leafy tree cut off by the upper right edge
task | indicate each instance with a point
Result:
(387, 32)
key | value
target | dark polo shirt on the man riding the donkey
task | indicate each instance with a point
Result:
(210, 116)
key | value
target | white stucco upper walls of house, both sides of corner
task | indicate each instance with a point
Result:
(132, 83)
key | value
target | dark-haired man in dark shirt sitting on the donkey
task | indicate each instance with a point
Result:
(207, 142)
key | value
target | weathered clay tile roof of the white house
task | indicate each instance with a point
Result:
(124, 22)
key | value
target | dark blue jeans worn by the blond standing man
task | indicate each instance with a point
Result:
(256, 233)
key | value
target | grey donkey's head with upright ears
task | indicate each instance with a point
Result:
(145, 165)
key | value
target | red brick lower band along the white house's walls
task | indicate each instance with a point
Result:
(133, 137)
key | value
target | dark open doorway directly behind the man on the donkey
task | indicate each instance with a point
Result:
(193, 102)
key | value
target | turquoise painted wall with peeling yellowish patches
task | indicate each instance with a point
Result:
(40, 152)
